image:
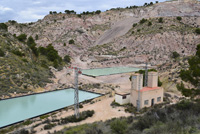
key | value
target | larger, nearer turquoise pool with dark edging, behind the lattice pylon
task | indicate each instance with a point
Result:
(22, 108)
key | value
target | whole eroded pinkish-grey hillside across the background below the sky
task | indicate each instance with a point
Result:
(109, 38)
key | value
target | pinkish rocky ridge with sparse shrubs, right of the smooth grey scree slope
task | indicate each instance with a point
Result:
(150, 40)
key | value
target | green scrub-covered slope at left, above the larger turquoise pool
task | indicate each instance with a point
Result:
(21, 71)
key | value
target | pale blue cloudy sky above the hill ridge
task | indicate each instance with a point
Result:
(31, 10)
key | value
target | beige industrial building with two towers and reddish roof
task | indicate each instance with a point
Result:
(147, 96)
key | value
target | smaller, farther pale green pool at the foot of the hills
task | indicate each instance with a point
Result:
(108, 71)
